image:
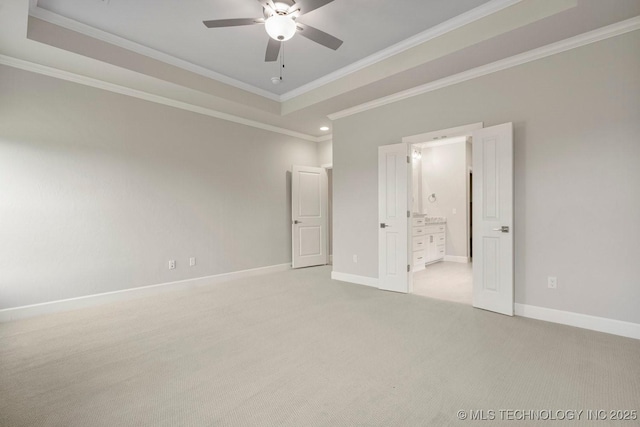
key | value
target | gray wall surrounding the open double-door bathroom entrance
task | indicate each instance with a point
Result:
(577, 169)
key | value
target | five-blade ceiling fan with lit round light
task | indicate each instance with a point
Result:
(280, 21)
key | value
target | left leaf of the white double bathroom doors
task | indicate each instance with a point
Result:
(393, 221)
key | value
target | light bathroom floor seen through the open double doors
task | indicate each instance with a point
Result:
(445, 280)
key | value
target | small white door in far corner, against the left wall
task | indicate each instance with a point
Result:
(309, 215)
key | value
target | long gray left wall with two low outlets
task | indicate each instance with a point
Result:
(99, 190)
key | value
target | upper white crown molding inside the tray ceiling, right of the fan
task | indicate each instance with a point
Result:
(437, 31)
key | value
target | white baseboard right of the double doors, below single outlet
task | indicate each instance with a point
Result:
(600, 324)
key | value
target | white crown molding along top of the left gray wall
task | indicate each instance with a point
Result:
(112, 87)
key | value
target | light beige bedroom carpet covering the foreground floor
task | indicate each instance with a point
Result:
(299, 349)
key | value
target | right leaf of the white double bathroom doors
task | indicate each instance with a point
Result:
(493, 218)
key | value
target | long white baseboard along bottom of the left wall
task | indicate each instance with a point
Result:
(26, 311)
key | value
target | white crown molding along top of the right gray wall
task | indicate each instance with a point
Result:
(600, 34)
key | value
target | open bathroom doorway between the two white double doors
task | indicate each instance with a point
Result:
(440, 206)
